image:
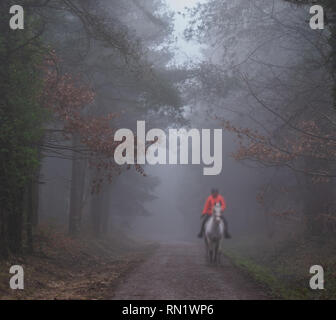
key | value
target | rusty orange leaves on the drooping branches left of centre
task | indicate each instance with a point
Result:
(68, 99)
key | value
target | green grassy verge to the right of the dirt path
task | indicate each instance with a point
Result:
(284, 268)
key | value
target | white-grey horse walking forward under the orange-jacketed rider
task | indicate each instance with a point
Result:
(214, 234)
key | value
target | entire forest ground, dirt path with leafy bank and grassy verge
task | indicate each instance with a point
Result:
(125, 269)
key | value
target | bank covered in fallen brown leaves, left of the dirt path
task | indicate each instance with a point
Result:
(66, 268)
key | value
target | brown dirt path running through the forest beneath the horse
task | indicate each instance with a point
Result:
(179, 271)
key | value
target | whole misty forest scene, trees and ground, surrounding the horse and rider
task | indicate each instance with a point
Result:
(78, 222)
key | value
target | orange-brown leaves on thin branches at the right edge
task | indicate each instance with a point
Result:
(309, 141)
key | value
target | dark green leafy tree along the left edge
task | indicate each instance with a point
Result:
(21, 119)
